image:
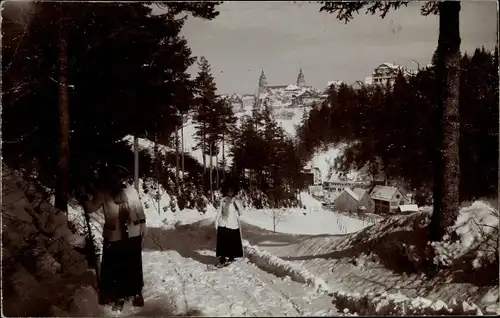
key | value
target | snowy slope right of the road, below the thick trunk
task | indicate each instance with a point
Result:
(372, 270)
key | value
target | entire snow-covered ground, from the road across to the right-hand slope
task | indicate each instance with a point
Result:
(309, 263)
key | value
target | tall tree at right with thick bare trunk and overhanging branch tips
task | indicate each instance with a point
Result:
(446, 161)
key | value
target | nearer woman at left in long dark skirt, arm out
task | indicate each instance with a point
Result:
(125, 226)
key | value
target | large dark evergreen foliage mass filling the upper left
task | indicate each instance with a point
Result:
(153, 74)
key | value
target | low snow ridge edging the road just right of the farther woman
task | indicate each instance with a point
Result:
(282, 268)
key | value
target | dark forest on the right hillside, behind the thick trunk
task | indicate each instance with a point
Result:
(393, 128)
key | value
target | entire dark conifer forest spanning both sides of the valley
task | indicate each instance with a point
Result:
(69, 103)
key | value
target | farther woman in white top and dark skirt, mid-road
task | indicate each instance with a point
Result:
(229, 242)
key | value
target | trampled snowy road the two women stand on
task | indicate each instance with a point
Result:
(180, 280)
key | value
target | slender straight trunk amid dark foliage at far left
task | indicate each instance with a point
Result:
(61, 193)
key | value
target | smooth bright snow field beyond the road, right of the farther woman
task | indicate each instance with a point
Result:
(311, 221)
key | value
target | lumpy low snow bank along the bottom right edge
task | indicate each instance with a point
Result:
(399, 304)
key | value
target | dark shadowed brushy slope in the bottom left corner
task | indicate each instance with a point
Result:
(42, 273)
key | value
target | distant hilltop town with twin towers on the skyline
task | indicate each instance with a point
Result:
(302, 95)
